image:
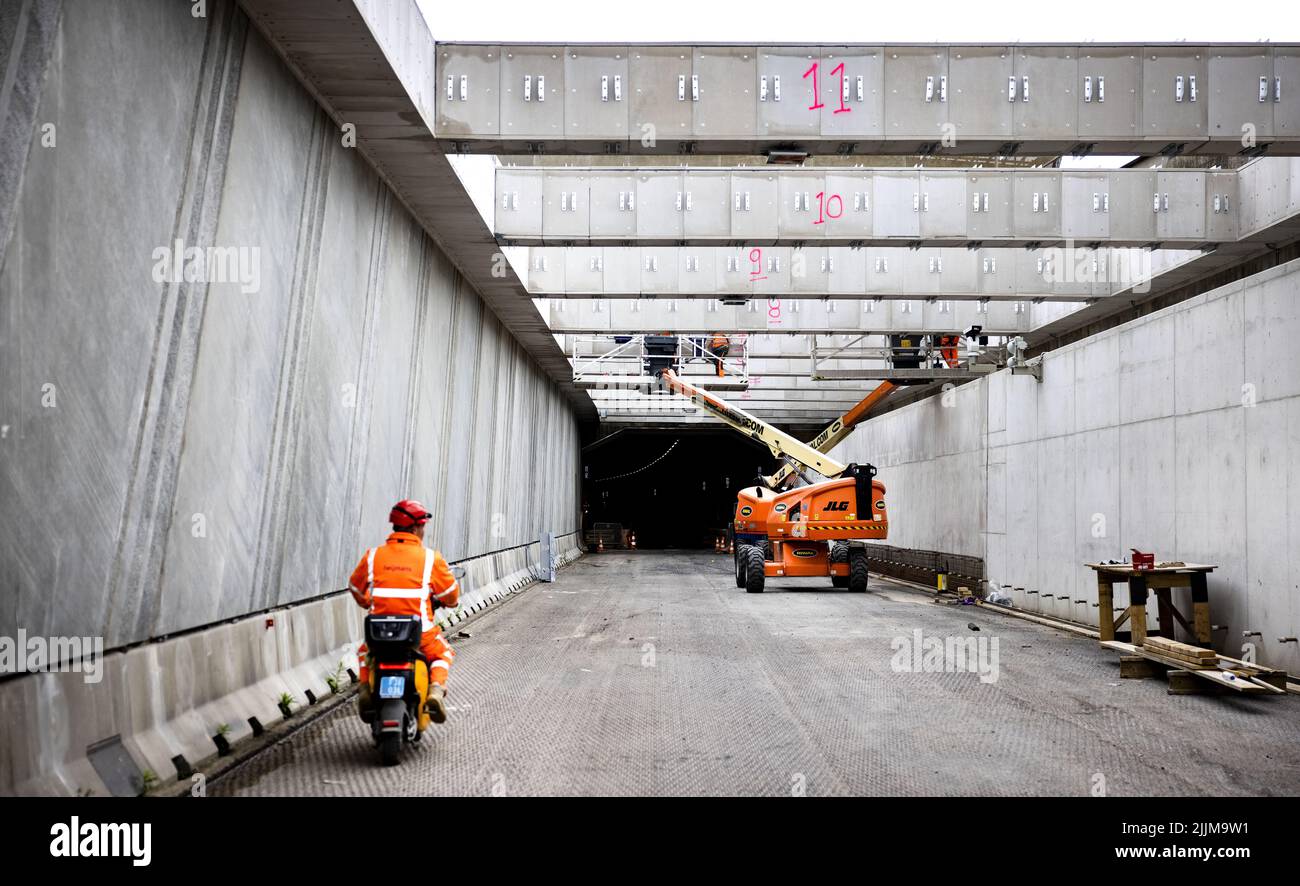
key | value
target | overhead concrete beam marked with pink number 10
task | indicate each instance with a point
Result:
(756, 207)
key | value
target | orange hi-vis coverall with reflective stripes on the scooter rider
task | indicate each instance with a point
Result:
(406, 579)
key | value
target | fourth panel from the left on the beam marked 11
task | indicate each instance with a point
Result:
(657, 110)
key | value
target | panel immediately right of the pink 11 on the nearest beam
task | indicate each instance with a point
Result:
(917, 93)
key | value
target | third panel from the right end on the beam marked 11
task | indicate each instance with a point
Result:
(1110, 94)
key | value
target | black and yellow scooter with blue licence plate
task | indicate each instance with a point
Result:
(400, 684)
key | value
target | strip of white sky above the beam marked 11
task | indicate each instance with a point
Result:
(863, 21)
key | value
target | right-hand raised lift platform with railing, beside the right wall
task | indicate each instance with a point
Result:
(904, 357)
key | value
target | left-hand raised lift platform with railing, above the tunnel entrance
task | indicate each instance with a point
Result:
(635, 362)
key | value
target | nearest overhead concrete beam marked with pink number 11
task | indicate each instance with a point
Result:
(931, 99)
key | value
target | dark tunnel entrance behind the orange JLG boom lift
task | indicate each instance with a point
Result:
(675, 489)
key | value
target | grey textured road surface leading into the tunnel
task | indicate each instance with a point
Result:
(652, 674)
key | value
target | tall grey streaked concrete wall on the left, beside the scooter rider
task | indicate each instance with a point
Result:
(177, 454)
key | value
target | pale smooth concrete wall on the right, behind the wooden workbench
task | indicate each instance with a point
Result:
(1177, 433)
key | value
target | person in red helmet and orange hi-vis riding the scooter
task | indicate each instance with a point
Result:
(405, 579)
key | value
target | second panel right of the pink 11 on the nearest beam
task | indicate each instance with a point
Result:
(982, 94)
